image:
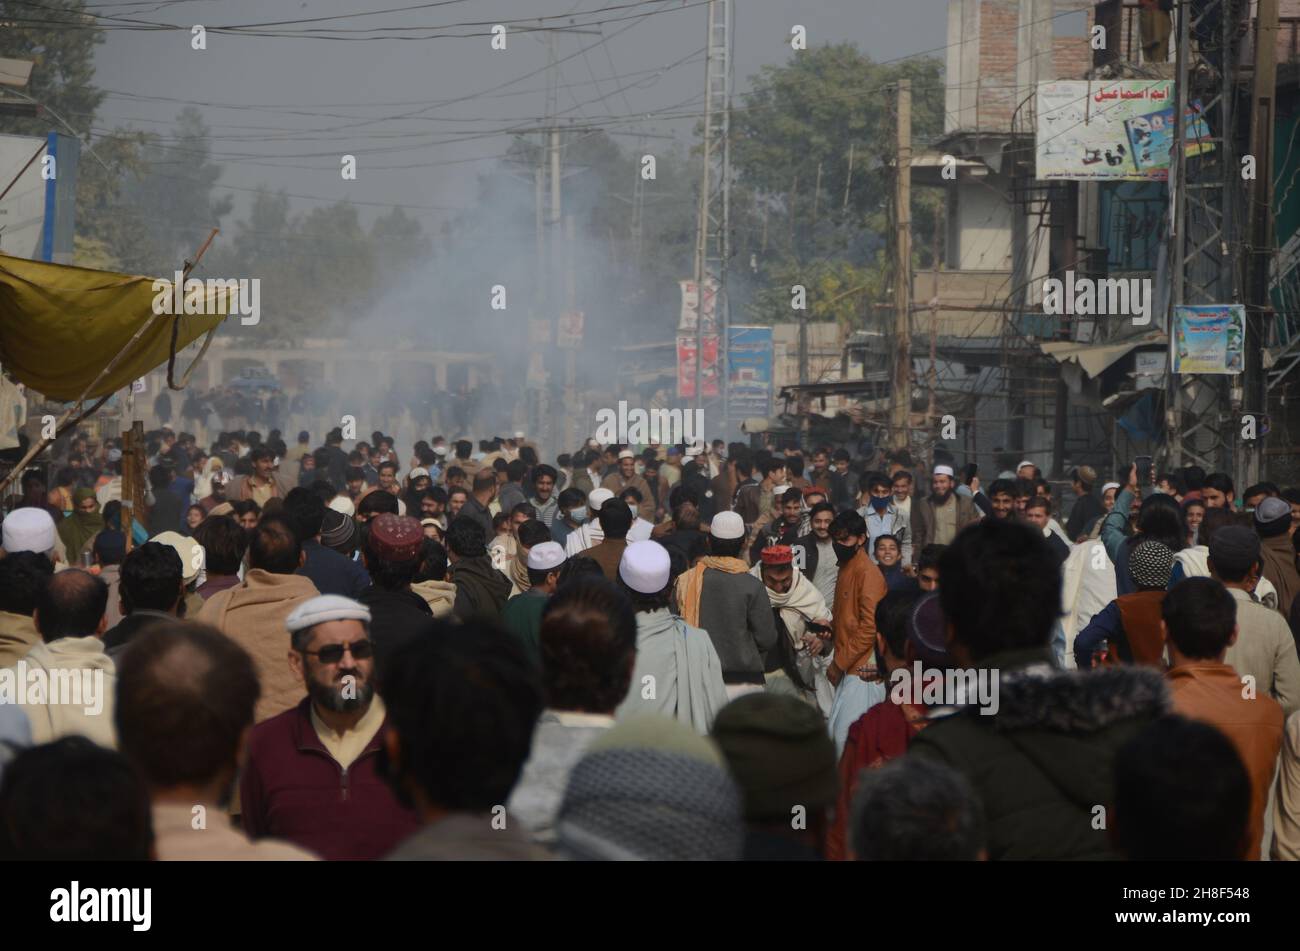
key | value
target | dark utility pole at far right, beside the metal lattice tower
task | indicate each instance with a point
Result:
(1255, 393)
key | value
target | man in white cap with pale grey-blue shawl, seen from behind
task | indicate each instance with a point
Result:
(678, 672)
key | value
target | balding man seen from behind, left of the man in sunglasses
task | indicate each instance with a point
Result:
(185, 701)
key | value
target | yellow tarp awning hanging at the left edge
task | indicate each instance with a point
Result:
(60, 327)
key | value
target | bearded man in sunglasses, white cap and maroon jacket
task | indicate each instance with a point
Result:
(311, 775)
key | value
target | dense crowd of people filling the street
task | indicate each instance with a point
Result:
(302, 652)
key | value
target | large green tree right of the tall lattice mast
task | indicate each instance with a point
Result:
(813, 150)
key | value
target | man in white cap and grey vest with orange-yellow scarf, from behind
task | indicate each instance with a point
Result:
(722, 597)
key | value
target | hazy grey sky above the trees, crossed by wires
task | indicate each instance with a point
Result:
(284, 110)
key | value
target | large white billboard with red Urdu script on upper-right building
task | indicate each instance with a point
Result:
(1120, 131)
